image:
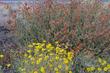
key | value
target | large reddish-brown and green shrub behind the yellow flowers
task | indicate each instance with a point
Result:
(78, 21)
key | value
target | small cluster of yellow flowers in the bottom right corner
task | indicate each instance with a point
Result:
(104, 66)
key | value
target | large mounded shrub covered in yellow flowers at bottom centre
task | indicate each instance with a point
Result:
(47, 58)
